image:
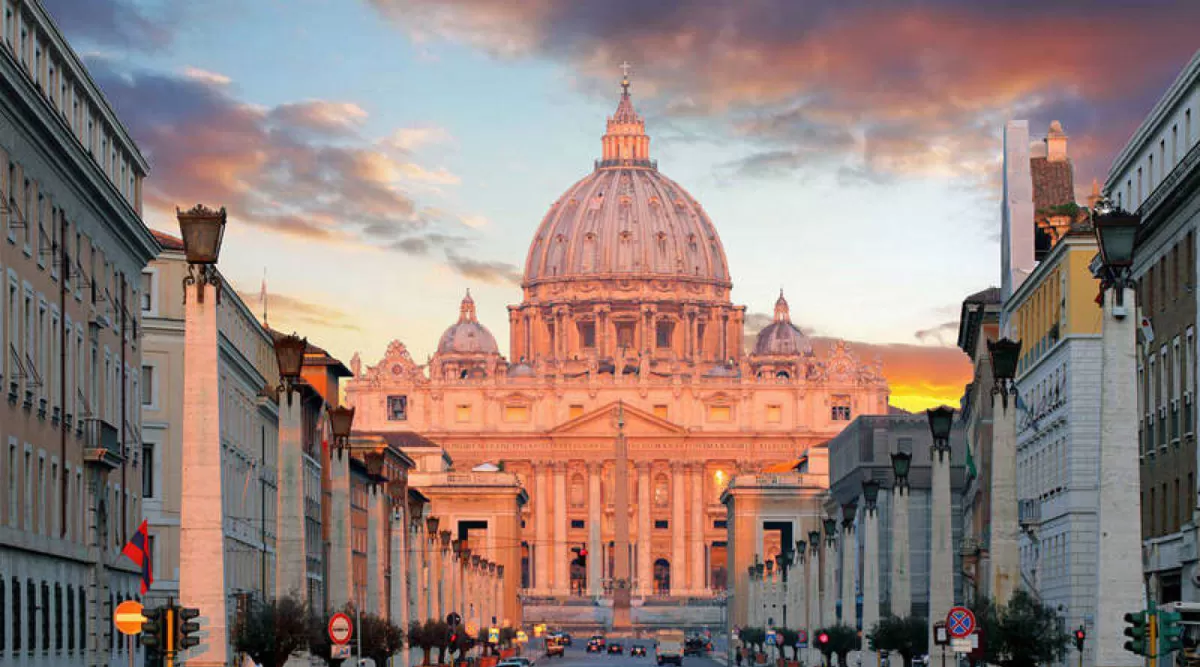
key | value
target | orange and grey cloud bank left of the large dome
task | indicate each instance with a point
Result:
(301, 170)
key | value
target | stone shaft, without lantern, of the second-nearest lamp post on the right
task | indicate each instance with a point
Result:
(1005, 543)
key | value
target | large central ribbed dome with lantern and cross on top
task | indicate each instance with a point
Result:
(626, 220)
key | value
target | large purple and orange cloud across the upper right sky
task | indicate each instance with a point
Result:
(923, 87)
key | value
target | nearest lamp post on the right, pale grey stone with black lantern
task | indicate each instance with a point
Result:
(1119, 551)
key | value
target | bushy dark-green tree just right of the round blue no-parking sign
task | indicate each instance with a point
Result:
(1023, 634)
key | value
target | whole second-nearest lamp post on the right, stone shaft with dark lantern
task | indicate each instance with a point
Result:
(1004, 546)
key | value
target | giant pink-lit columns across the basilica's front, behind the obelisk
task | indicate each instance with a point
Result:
(551, 549)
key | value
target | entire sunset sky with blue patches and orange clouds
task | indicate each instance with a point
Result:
(380, 158)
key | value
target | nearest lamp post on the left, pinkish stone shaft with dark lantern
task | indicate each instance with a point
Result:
(202, 576)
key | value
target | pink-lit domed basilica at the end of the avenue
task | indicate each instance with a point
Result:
(626, 307)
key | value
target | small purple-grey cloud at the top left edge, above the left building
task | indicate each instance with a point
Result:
(116, 23)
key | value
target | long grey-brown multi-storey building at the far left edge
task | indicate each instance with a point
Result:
(73, 249)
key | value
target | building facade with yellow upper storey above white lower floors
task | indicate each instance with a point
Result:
(1058, 320)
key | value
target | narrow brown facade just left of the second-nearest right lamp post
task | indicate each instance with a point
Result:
(979, 325)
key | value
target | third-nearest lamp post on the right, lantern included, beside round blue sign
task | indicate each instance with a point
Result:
(941, 563)
